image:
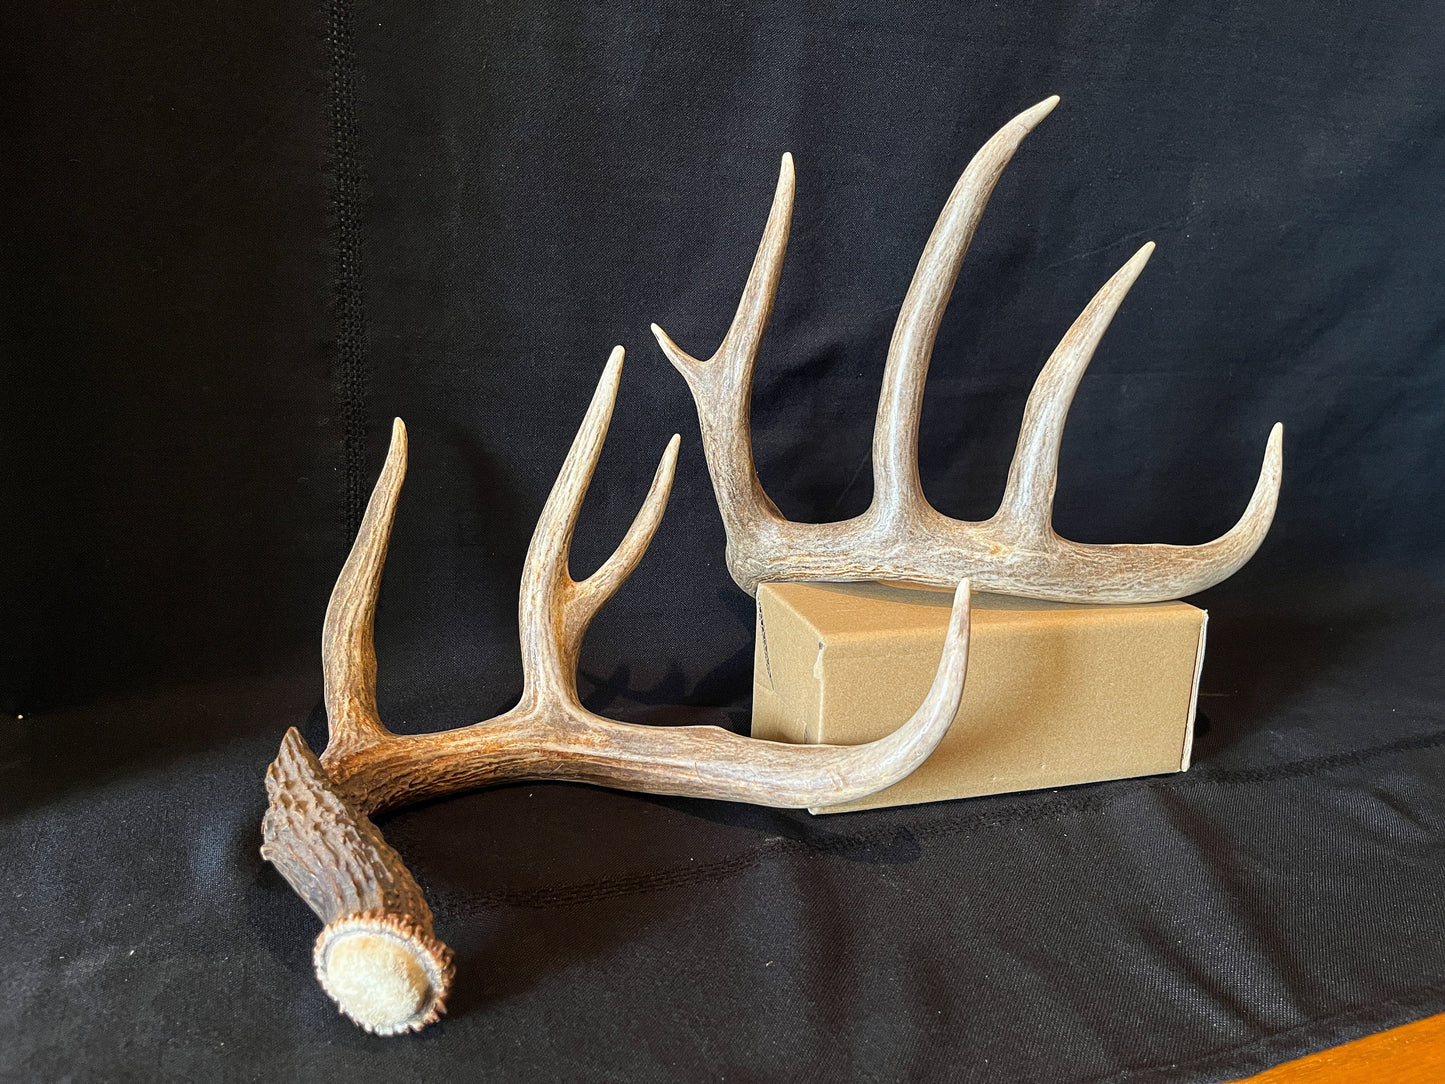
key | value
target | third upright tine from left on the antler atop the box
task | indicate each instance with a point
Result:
(1028, 501)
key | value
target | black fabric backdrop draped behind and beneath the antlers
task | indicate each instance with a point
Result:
(242, 238)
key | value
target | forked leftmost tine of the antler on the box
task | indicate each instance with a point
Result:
(723, 387)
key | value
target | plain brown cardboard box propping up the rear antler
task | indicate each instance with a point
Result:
(1057, 693)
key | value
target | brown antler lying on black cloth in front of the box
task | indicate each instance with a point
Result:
(378, 956)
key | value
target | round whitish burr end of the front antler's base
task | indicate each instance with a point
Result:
(384, 972)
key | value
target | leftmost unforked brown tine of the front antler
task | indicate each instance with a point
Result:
(348, 645)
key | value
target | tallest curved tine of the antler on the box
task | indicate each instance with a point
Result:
(898, 494)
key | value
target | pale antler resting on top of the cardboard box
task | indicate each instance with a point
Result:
(902, 537)
